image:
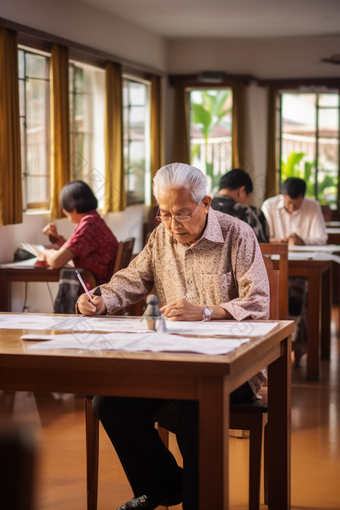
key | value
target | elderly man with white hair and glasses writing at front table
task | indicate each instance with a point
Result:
(203, 265)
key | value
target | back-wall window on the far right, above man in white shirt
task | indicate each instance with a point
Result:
(309, 146)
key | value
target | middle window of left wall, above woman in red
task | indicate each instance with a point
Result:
(87, 107)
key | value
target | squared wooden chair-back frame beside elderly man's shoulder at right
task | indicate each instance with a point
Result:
(280, 249)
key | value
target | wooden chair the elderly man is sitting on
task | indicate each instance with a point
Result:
(249, 418)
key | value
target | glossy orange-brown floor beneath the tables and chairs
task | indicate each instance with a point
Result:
(59, 420)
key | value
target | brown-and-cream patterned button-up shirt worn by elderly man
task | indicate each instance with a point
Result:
(224, 267)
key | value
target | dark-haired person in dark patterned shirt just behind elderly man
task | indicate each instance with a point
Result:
(233, 198)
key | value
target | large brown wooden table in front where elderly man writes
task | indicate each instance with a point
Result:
(208, 379)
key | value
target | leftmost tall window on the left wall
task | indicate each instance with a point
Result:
(34, 101)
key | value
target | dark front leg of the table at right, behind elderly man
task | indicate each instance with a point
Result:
(313, 323)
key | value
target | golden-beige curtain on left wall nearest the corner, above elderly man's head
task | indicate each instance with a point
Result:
(156, 128)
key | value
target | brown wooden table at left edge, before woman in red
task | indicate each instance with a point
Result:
(22, 274)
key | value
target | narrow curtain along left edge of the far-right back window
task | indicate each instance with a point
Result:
(273, 177)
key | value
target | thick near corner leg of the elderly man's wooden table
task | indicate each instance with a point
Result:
(214, 443)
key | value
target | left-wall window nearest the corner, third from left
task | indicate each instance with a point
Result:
(136, 120)
